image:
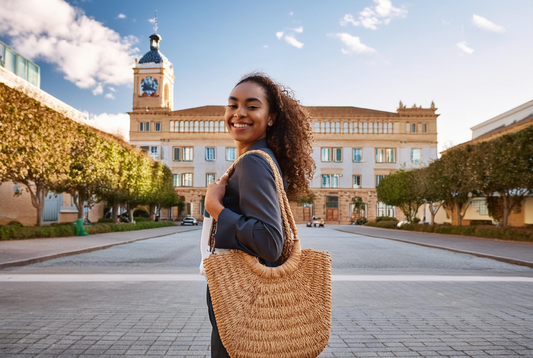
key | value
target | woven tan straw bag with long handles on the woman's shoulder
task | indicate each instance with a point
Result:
(267, 312)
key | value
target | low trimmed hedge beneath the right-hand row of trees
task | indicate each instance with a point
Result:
(486, 231)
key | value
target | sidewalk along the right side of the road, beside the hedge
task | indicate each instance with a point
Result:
(514, 252)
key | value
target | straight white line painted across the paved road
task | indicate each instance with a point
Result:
(192, 277)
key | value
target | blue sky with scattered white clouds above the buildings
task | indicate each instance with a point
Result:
(473, 58)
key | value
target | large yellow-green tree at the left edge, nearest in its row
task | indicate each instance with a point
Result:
(34, 142)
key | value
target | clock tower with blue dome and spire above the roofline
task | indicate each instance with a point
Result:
(153, 83)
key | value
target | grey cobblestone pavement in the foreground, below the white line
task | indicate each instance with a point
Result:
(168, 319)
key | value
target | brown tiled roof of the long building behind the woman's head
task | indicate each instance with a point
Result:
(314, 111)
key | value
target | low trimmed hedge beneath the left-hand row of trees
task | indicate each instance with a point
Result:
(59, 230)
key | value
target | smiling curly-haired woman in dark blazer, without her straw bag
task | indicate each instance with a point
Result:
(260, 114)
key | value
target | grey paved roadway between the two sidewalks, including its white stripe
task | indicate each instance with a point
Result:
(390, 299)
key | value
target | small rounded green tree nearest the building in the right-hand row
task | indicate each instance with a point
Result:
(401, 189)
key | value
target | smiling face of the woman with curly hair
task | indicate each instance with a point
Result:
(247, 113)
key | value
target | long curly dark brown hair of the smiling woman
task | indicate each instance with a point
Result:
(291, 135)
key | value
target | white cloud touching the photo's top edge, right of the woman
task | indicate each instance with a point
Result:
(382, 13)
